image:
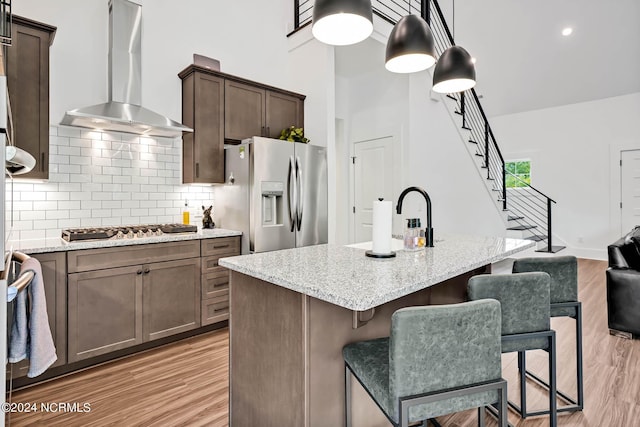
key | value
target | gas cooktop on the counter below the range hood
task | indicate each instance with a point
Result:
(125, 232)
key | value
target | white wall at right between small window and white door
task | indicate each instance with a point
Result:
(574, 152)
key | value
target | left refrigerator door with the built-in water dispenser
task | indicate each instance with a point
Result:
(273, 195)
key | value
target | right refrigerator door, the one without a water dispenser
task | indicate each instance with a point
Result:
(312, 207)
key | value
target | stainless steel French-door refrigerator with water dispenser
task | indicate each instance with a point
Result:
(275, 193)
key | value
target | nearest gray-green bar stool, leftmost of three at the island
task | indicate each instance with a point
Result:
(437, 360)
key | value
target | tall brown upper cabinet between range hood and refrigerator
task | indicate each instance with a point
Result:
(203, 111)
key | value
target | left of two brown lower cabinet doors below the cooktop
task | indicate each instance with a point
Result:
(104, 311)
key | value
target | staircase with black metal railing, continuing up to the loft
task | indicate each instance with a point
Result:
(527, 210)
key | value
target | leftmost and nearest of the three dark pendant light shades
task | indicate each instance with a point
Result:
(342, 22)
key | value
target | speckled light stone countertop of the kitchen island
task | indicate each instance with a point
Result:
(344, 276)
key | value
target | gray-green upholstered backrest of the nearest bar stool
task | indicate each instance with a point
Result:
(434, 348)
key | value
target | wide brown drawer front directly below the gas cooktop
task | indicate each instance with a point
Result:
(121, 256)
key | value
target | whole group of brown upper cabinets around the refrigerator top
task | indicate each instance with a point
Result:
(221, 108)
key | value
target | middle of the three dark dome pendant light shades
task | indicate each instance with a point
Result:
(410, 47)
